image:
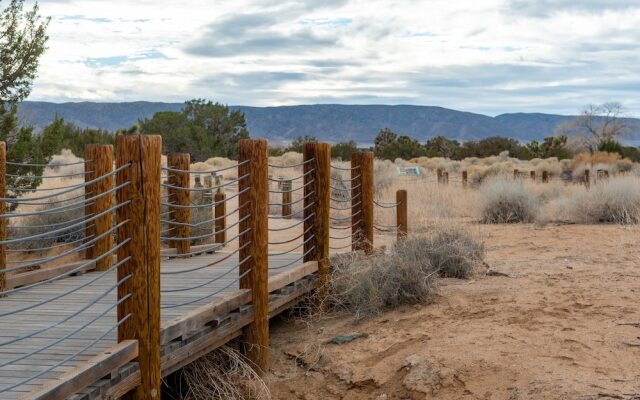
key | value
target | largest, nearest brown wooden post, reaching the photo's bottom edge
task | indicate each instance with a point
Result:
(142, 211)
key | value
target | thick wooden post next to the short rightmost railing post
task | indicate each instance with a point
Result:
(362, 201)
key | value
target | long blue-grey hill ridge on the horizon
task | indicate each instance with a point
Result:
(329, 122)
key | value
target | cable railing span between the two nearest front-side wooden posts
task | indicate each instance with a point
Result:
(199, 215)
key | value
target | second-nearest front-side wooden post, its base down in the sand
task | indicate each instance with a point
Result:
(254, 272)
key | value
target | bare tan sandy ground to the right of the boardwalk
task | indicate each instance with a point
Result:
(553, 328)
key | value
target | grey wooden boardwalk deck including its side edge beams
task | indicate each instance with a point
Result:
(93, 331)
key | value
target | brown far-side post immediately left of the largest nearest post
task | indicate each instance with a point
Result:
(99, 162)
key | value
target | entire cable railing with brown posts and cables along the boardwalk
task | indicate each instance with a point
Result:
(87, 256)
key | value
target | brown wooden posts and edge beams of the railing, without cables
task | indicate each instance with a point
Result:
(130, 184)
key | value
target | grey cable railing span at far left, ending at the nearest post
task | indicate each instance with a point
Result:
(85, 308)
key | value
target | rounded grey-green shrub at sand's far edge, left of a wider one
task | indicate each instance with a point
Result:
(508, 201)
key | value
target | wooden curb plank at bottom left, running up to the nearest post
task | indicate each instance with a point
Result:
(87, 373)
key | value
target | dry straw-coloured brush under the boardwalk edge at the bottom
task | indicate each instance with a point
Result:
(223, 374)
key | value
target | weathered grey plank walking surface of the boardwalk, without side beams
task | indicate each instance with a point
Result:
(103, 313)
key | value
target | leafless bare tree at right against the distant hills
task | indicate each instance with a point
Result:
(597, 124)
